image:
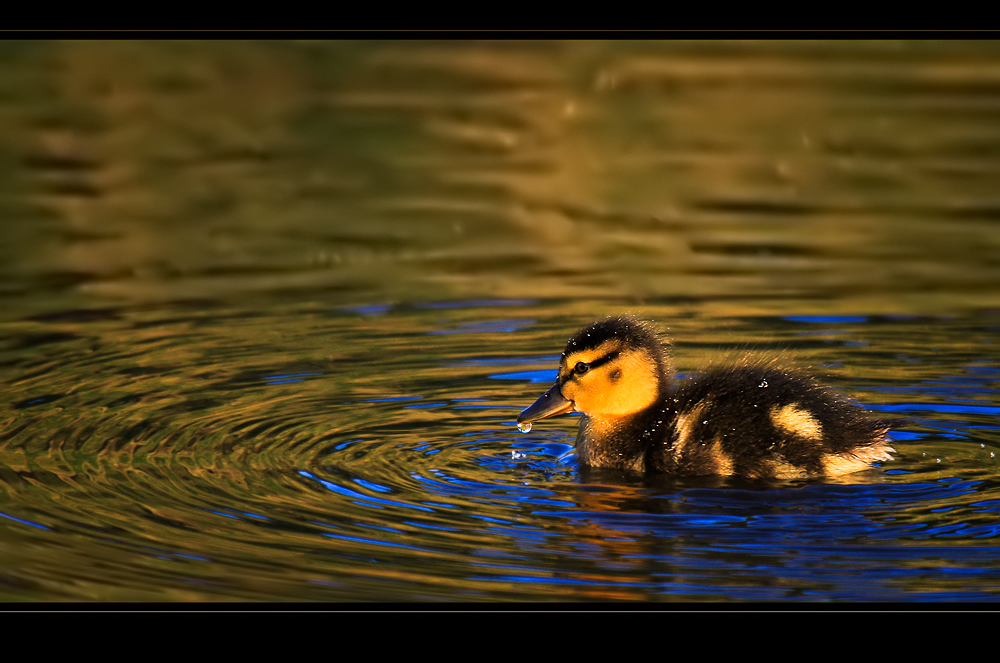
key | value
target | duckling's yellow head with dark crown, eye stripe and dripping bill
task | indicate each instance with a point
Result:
(614, 368)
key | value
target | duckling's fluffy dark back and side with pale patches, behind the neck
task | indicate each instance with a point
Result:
(756, 420)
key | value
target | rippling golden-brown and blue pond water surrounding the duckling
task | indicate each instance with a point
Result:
(270, 311)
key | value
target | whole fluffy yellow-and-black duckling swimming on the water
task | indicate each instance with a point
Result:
(751, 418)
